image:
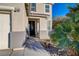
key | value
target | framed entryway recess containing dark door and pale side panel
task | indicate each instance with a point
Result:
(34, 27)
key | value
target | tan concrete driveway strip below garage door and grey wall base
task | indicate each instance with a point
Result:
(12, 52)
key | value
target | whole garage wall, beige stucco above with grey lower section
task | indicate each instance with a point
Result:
(19, 22)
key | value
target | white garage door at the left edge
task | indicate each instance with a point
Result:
(4, 30)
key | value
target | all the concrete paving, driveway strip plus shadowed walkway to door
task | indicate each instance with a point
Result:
(31, 48)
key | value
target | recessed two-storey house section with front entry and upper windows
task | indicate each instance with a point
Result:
(40, 20)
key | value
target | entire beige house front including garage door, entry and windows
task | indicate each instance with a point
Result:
(14, 21)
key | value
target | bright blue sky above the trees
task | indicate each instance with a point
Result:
(60, 9)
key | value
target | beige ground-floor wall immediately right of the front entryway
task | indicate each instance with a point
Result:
(43, 29)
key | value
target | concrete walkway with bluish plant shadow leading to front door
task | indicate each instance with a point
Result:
(34, 48)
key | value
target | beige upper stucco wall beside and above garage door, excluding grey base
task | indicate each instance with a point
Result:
(18, 18)
